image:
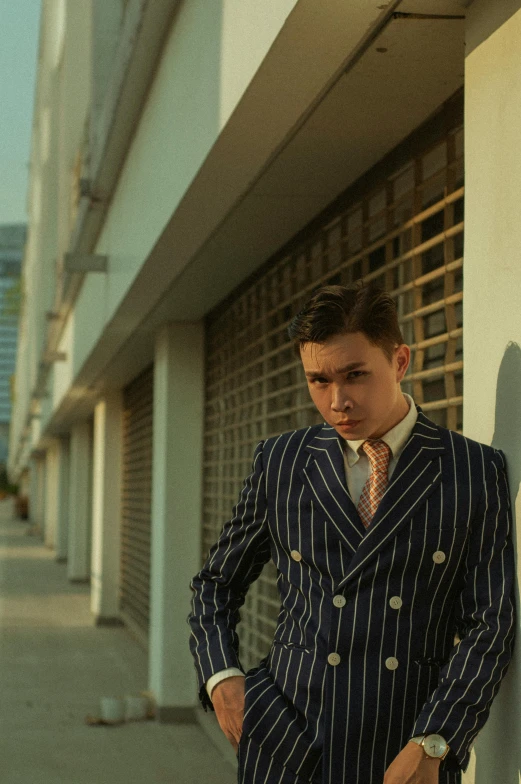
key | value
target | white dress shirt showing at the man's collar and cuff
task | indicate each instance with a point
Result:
(358, 471)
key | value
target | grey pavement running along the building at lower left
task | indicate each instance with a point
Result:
(54, 667)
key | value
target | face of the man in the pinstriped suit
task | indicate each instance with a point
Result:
(354, 385)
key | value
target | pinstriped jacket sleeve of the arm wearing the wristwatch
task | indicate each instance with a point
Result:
(468, 683)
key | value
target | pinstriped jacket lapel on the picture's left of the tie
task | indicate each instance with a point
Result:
(325, 475)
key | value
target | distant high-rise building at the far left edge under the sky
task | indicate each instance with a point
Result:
(12, 241)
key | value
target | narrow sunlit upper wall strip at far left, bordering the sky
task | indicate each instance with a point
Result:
(60, 113)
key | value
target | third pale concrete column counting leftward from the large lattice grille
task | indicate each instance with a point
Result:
(80, 502)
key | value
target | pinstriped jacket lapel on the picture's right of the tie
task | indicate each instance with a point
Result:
(415, 477)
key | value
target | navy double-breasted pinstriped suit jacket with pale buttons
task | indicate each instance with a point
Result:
(447, 495)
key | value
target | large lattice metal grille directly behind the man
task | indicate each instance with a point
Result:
(406, 235)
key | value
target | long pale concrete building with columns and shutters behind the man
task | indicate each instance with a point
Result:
(197, 169)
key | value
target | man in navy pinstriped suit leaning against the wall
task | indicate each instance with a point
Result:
(390, 535)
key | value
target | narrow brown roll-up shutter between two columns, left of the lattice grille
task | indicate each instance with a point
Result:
(136, 503)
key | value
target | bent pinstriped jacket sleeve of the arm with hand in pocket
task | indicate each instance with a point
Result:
(219, 590)
